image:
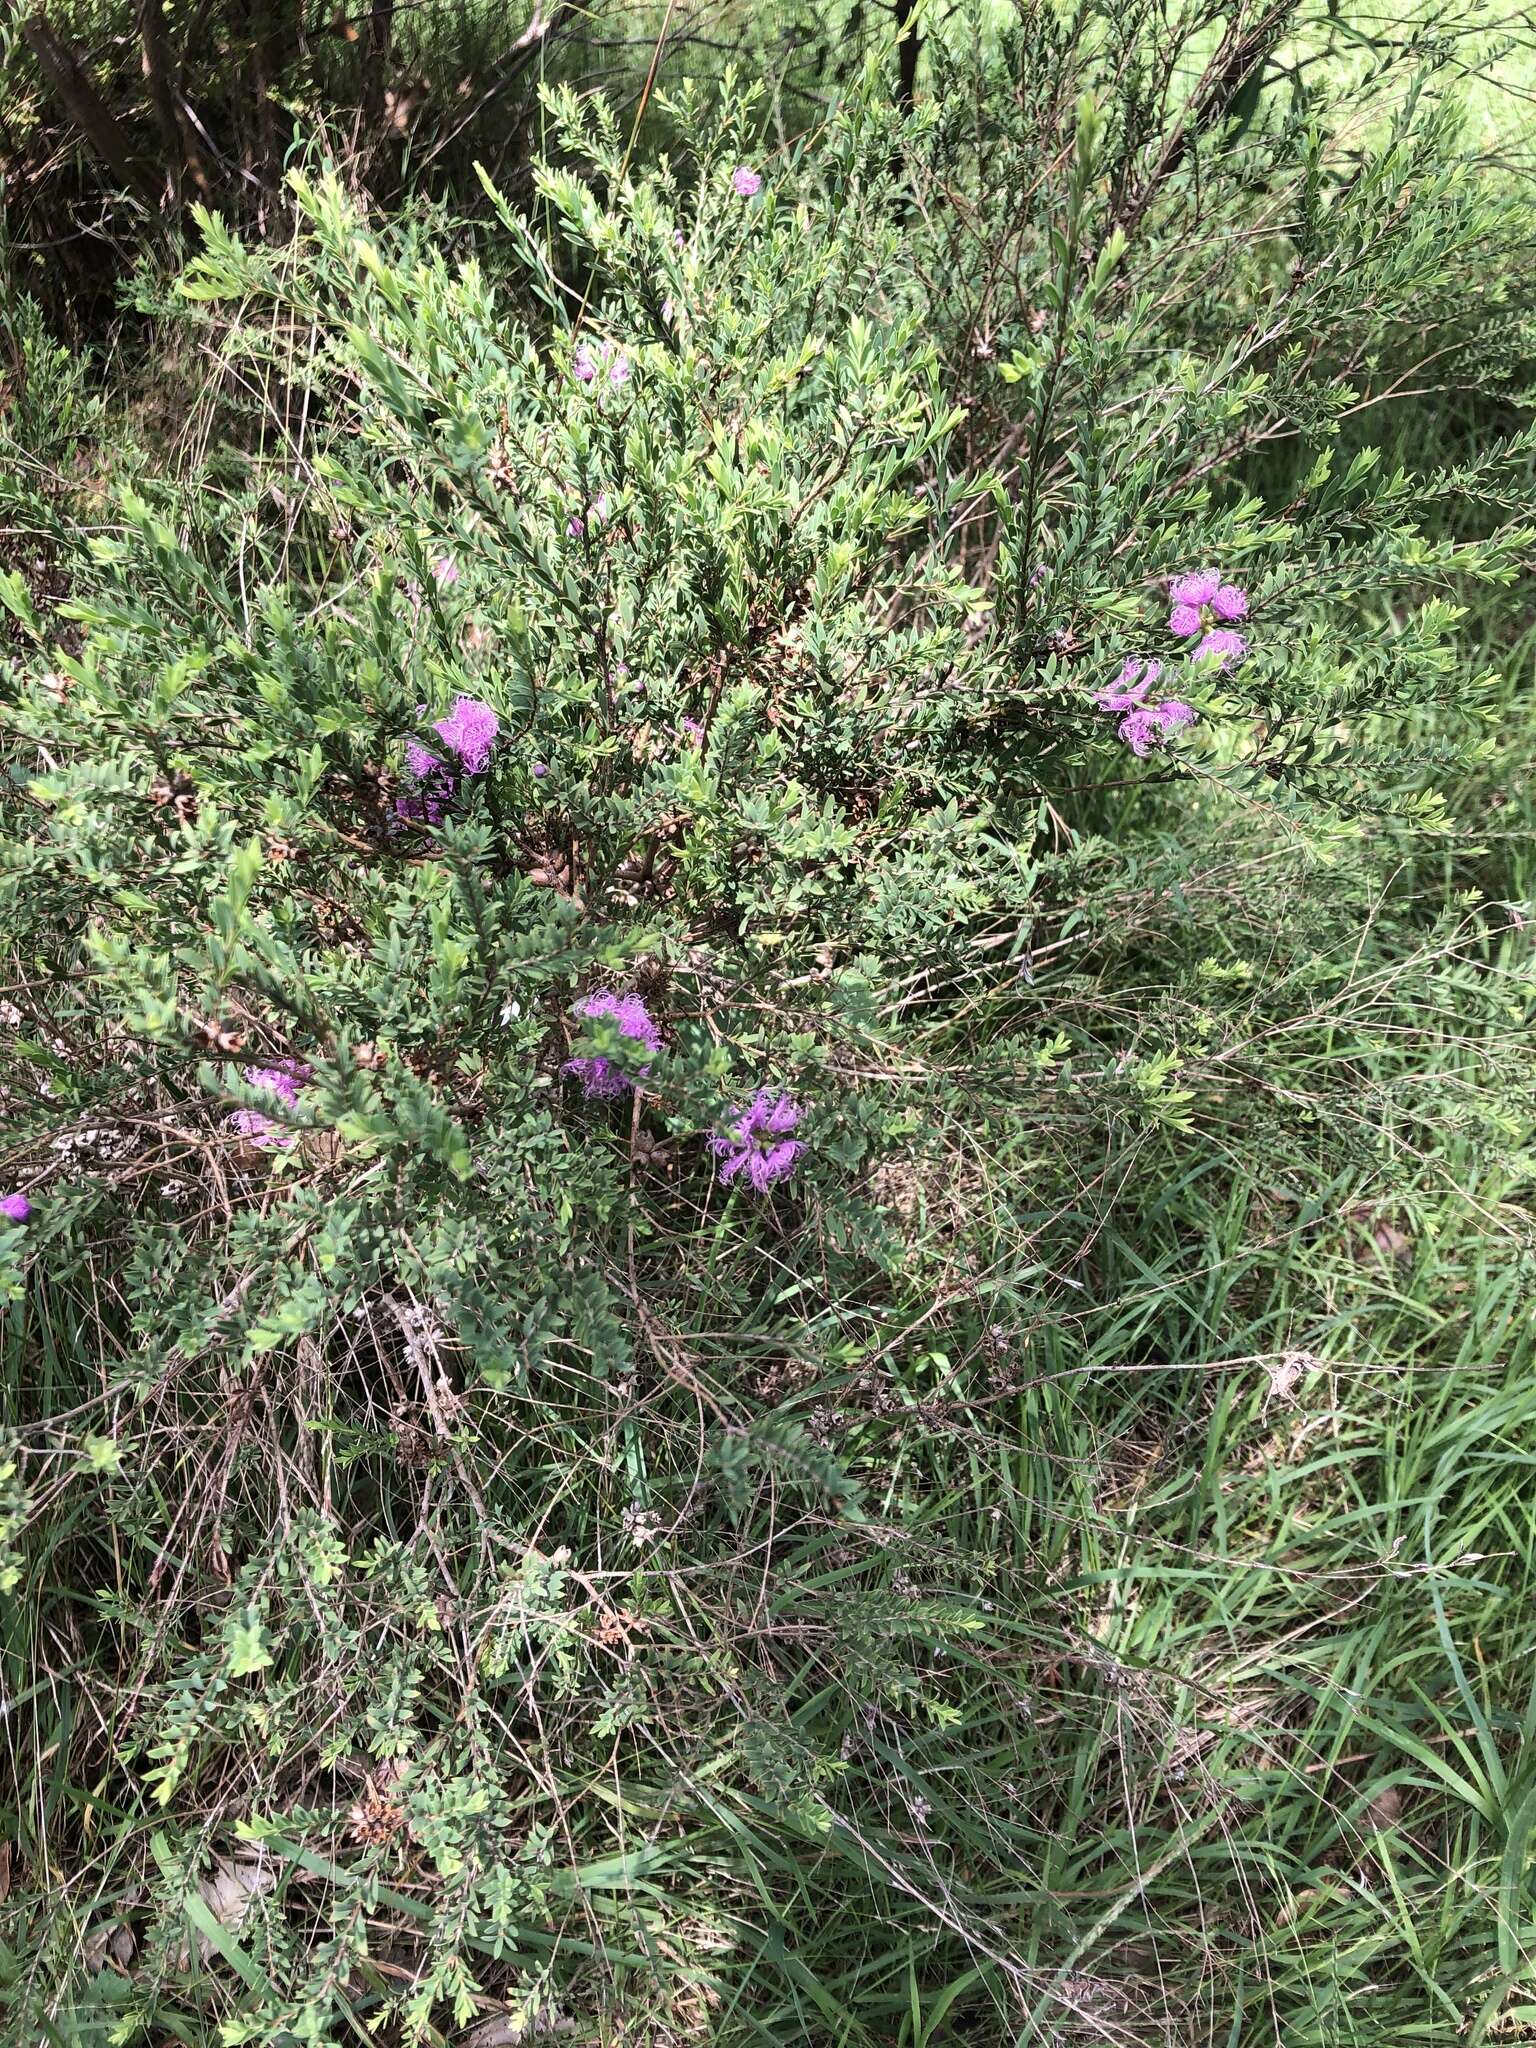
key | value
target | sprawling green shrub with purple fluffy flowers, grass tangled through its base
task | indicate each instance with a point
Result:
(636, 943)
